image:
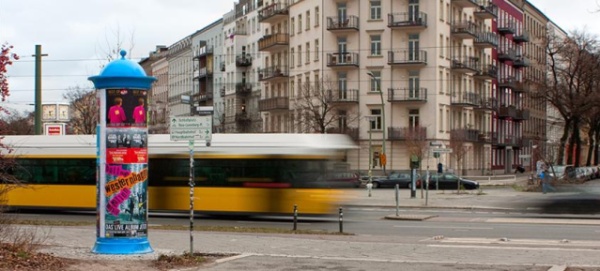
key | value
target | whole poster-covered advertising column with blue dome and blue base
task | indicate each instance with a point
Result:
(122, 185)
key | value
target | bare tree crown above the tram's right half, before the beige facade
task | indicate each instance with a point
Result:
(321, 108)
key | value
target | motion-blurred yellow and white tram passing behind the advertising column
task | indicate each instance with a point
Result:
(237, 174)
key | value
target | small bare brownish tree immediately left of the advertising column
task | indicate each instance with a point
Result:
(84, 110)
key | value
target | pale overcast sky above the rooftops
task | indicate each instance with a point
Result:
(74, 34)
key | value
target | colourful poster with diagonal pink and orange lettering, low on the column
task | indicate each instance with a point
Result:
(126, 203)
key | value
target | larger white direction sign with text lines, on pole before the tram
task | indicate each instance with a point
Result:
(191, 128)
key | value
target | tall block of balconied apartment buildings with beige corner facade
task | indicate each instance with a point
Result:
(454, 72)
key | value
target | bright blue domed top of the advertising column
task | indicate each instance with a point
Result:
(122, 73)
